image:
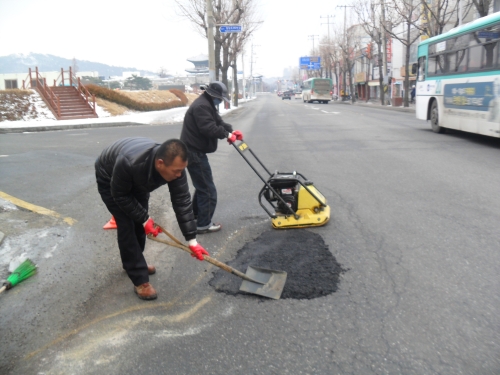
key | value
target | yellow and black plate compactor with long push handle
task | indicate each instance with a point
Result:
(295, 200)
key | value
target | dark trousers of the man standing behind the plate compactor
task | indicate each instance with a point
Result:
(205, 195)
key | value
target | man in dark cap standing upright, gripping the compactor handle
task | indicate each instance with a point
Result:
(202, 129)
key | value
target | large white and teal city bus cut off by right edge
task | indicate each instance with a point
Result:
(458, 80)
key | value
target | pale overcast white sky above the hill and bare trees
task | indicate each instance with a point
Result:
(150, 34)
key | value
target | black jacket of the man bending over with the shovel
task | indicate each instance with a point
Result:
(127, 167)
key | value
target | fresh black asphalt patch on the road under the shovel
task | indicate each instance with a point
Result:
(312, 269)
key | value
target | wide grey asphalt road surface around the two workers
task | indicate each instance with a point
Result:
(414, 223)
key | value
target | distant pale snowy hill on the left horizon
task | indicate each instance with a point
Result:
(20, 63)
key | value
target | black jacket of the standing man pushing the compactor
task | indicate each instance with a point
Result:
(203, 126)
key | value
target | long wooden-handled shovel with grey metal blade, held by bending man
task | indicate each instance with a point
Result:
(261, 281)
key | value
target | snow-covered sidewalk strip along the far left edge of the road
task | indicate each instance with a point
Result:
(169, 116)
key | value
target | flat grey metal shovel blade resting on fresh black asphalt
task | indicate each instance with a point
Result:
(269, 283)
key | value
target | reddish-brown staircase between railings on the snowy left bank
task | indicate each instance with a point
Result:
(72, 104)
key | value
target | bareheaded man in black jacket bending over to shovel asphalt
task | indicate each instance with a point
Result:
(127, 171)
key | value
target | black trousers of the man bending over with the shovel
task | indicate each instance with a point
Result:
(131, 236)
